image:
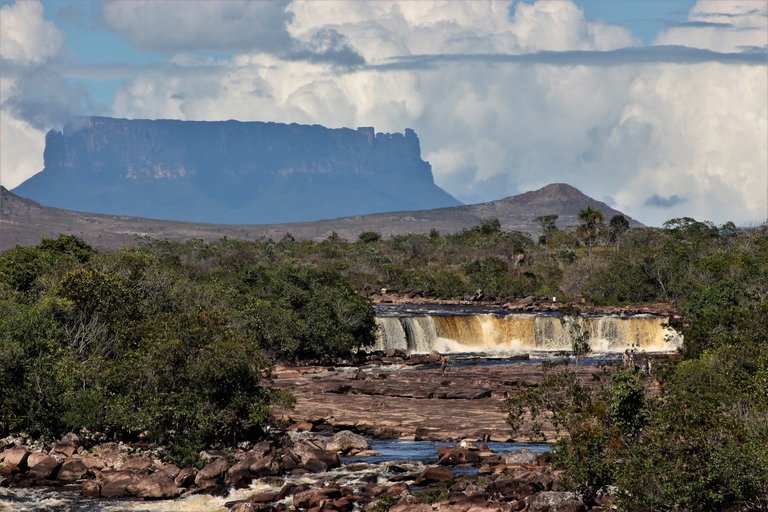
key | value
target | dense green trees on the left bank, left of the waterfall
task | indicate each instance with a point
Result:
(170, 343)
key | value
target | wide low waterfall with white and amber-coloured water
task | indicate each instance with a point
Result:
(495, 333)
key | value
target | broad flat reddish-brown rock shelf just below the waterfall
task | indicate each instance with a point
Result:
(417, 403)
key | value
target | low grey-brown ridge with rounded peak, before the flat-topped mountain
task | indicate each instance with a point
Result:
(24, 222)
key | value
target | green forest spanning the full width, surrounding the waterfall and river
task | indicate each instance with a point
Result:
(175, 342)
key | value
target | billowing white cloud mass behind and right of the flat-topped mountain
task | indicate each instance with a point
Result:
(507, 101)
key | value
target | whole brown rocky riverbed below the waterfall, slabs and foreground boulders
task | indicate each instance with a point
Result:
(321, 462)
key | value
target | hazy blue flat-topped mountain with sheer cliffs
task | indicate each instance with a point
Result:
(231, 172)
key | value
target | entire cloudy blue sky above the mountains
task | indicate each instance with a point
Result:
(657, 107)
